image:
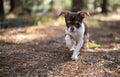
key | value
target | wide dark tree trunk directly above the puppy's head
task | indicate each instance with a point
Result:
(77, 5)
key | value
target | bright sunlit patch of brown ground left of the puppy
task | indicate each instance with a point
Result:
(22, 35)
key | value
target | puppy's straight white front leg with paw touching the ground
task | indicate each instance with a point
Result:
(76, 52)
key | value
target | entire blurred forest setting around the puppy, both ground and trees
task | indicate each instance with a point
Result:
(32, 39)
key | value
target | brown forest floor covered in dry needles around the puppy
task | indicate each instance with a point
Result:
(39, 51)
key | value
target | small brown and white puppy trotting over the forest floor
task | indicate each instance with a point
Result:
(76, 31)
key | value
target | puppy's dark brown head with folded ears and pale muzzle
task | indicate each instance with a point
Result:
(73, 19)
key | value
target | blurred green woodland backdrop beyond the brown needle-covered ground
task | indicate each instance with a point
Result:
(19, 13)
